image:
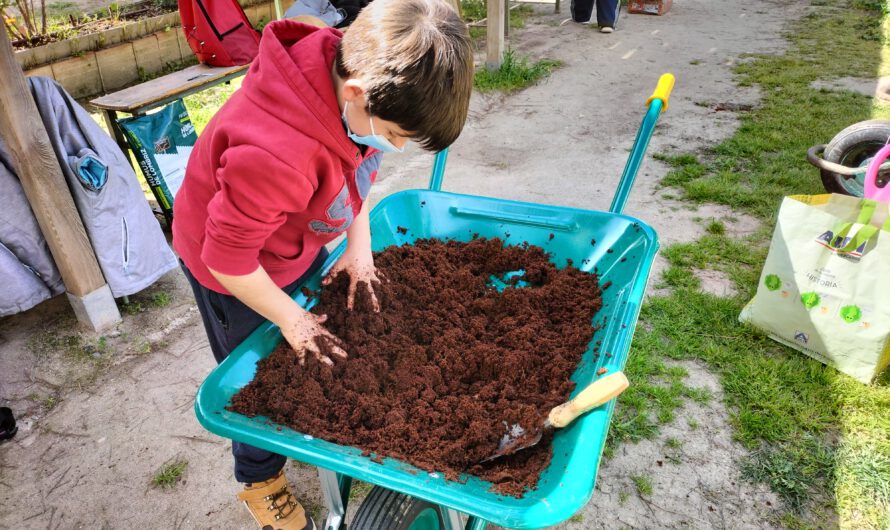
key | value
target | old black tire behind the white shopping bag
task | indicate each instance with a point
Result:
(854, 147)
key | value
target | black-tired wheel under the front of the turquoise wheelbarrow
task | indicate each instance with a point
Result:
(385, 509)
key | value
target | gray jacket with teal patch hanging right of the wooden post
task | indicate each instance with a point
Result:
(127, 239)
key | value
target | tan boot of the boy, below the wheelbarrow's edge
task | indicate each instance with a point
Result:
(273, 505)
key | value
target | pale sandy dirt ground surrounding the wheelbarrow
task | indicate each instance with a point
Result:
(94, 434)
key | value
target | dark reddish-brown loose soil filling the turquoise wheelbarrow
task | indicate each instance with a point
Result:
(434, 377)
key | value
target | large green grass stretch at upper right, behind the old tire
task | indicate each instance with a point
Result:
(764, 160)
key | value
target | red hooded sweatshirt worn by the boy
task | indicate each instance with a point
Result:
(273, 177)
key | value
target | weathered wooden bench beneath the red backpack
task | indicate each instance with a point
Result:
(139, 99)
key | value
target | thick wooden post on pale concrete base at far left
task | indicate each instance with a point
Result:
(44, 185)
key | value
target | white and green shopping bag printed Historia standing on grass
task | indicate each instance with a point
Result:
(825, 286)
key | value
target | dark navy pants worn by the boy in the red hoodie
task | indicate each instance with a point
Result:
(228, 322)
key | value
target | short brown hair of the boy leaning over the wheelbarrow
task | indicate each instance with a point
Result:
(416, 59)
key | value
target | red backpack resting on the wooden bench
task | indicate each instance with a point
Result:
(218, 32)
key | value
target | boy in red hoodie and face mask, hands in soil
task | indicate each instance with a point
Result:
(285, 167)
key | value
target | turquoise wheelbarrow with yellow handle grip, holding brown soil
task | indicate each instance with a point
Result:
(618, 247)
